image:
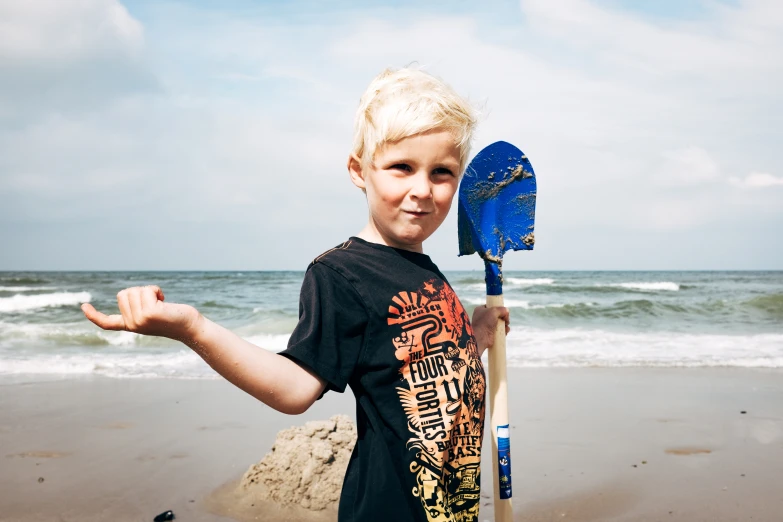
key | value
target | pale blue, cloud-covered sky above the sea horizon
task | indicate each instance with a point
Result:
(213, 135)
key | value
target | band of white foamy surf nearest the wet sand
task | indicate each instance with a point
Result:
(526, 348)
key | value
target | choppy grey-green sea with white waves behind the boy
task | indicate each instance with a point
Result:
(558, 319)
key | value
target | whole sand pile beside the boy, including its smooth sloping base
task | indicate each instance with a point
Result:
(298, 480)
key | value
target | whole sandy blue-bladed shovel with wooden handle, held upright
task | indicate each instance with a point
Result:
(497, 207)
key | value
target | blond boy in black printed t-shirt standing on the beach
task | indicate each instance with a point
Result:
(377, 315)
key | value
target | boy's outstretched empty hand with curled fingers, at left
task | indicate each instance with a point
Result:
(143, 311)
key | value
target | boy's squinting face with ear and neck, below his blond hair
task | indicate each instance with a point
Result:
(409, 186)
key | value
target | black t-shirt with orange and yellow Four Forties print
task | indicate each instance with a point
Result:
(385, 322)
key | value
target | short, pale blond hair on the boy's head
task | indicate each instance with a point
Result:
(405, 102)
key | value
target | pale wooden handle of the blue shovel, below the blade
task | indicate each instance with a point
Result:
(498, 408)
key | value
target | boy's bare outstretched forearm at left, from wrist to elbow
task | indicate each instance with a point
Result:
(273, 379)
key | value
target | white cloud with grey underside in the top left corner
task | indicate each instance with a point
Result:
(67, 57)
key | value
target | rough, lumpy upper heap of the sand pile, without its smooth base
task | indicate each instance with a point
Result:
(306, 465)
